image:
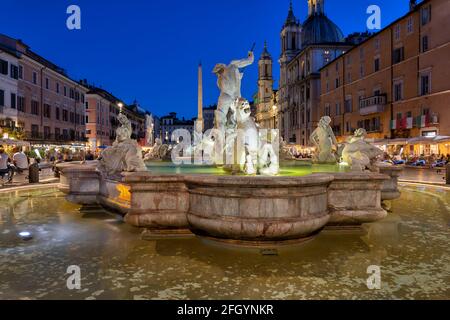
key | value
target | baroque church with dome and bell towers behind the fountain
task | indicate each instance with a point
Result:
(305, 48)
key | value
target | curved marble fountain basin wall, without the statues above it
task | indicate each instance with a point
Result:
(238, 209)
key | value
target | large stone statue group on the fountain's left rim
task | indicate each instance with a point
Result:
(125, 155)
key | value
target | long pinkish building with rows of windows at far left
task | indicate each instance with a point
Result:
(46, 105)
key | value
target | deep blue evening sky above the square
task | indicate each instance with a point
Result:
(149, 50)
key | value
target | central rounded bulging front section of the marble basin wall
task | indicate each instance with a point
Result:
(258, 209)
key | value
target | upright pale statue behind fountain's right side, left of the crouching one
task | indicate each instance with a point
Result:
(324, 140)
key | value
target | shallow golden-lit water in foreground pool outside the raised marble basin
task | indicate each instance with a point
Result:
(412, 247)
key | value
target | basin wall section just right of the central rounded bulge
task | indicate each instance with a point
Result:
(355, 198)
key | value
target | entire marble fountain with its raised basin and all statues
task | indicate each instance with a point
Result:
(253, 203)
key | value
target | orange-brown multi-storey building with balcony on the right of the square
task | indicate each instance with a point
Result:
(395, 84)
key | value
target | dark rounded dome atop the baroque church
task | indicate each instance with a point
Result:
(318, 29)
